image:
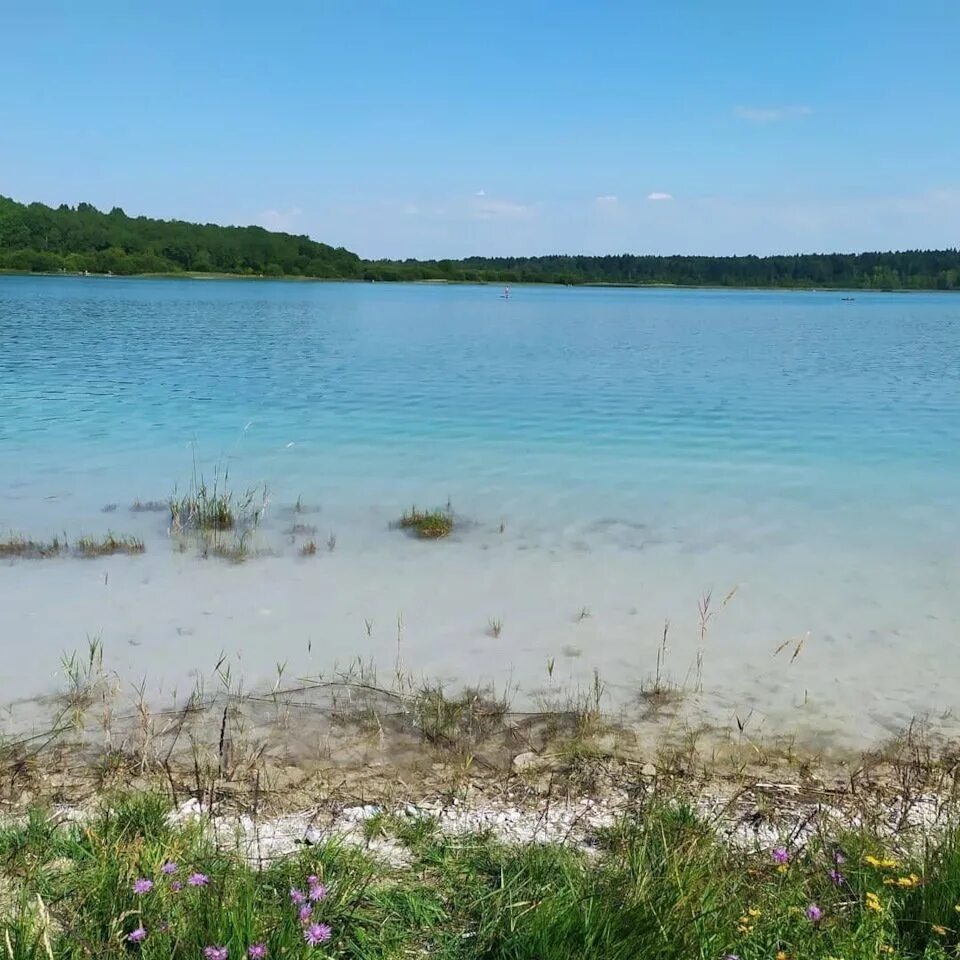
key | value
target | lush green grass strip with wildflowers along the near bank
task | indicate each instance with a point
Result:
(658, 884)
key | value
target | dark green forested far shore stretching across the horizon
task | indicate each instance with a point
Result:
(38, 238)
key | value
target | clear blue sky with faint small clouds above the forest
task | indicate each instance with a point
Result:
(448, 129)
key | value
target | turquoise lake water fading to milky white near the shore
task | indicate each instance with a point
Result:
(639, 448)
